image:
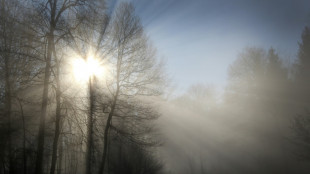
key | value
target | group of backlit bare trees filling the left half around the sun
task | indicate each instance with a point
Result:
(52, 123)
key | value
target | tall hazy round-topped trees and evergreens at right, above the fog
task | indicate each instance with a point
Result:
(261, 84)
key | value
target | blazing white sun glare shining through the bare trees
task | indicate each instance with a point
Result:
(83, 69)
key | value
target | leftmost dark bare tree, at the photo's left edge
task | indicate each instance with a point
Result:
(16, 62)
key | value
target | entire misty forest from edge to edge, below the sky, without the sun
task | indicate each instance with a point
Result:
(127, 120)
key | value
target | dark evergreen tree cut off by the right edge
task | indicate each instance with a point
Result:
(301, 122)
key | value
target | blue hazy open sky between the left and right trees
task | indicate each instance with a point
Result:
(200, 38)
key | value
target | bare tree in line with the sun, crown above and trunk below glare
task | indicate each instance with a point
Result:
(90, 37)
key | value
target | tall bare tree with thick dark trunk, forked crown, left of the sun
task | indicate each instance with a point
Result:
(51, 19)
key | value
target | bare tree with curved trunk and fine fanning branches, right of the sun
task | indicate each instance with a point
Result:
(135, 74)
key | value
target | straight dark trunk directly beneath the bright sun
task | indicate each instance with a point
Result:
(90, 128)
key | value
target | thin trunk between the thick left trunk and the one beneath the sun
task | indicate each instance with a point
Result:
(57, 123)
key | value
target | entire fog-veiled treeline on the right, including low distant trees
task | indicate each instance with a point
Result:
(261, 122)
